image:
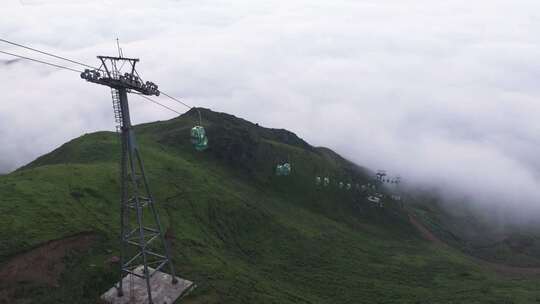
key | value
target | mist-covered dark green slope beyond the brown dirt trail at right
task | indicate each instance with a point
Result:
(509, 244)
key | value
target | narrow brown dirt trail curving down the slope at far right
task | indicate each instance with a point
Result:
(500, 268)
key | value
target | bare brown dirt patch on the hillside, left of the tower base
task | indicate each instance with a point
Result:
(45, 263)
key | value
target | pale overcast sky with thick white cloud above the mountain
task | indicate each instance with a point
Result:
(442, 92)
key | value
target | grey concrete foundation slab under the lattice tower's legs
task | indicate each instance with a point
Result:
(135, 292)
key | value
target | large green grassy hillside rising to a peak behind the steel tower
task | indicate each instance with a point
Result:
(241, 233)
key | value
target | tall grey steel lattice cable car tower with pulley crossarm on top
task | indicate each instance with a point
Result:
(138, 233)
